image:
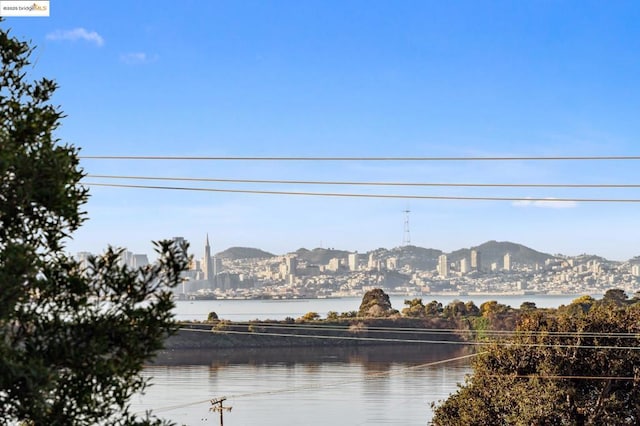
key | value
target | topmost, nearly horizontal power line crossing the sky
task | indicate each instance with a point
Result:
(238, 158)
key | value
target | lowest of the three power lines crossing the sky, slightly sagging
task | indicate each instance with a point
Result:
(360, 195)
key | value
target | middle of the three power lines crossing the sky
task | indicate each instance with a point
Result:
(369, 183)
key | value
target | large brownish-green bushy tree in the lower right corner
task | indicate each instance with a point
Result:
(558, 369)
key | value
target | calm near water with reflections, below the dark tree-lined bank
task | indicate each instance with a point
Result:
(313, 387)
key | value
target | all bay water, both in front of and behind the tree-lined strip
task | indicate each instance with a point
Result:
(380, 385)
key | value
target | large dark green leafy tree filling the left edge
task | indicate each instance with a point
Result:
(72, 340)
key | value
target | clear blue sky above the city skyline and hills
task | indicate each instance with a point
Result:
(357, 78)
